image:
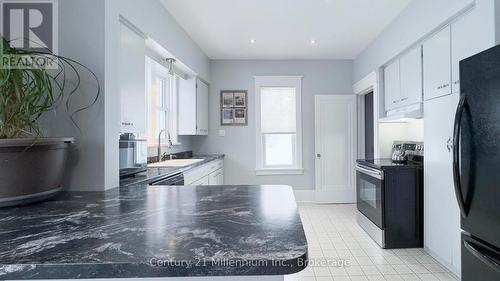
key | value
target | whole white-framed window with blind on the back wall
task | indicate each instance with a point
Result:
(278, 125)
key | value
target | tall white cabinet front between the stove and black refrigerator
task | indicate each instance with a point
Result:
(441, 211)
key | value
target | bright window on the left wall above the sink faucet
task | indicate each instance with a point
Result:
(162, 103)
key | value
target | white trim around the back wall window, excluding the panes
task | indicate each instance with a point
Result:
(278, 81)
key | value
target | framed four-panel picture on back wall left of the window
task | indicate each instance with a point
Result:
(234, 111)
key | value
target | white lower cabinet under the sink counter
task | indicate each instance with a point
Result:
(211, 173)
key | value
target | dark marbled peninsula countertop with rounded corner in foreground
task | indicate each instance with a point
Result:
(162, 231)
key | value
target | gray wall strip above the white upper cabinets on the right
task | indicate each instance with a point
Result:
(417, 21)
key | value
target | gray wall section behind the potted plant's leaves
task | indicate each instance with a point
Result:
(82, 40)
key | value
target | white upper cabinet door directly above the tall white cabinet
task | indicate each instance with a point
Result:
(437, 65)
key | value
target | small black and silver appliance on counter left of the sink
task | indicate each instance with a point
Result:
(133, 157)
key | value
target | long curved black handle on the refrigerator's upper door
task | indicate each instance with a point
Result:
(456, 155)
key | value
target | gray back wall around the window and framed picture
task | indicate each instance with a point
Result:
(320, 77)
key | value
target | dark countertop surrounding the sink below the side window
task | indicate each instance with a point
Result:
(154, 174)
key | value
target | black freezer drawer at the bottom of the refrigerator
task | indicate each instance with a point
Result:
(479, 261)
